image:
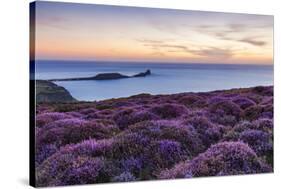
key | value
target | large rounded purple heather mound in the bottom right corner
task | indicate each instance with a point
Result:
(227, 158)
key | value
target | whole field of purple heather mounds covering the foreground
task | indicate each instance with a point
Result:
(148, 137)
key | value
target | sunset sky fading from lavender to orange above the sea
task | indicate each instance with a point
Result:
(69, 31)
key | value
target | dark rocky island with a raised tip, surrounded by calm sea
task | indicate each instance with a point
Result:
(106, 76)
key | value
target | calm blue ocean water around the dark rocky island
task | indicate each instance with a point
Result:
(165, 79)
